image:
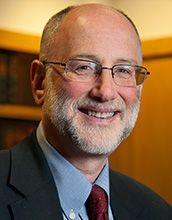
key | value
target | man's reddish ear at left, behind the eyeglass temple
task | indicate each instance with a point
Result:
(37, 75)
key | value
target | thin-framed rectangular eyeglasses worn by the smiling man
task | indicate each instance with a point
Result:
(88, 71)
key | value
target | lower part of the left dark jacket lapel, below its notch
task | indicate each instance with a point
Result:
(41, 204)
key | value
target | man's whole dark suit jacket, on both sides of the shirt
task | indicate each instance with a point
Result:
(28, 192)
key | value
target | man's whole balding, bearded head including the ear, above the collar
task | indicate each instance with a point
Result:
(87, 117)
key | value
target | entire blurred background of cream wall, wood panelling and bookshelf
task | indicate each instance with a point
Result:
(147, 154)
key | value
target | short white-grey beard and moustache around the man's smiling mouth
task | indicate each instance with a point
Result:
(63, 114)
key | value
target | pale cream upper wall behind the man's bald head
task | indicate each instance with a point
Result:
(152, 17)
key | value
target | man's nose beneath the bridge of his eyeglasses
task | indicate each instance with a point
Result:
(104, 89)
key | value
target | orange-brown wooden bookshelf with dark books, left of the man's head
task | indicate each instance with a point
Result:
(18, 113)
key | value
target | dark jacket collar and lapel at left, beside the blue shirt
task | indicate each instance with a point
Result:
(31, 179)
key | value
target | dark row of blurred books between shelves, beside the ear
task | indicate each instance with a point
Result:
(15, 77)
